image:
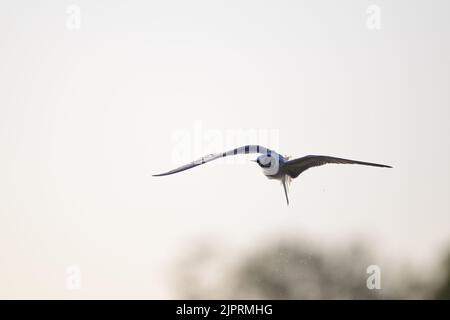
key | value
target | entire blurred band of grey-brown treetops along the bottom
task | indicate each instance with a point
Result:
(294, 269)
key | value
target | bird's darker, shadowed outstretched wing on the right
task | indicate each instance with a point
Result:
(296, 166)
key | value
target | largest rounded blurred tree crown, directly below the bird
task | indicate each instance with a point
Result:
(289, 271)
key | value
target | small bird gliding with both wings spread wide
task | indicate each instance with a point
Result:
(274, 165)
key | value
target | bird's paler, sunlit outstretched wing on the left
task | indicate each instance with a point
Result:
(241, 150)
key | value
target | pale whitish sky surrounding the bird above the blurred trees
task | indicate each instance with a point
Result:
(91, 107)
